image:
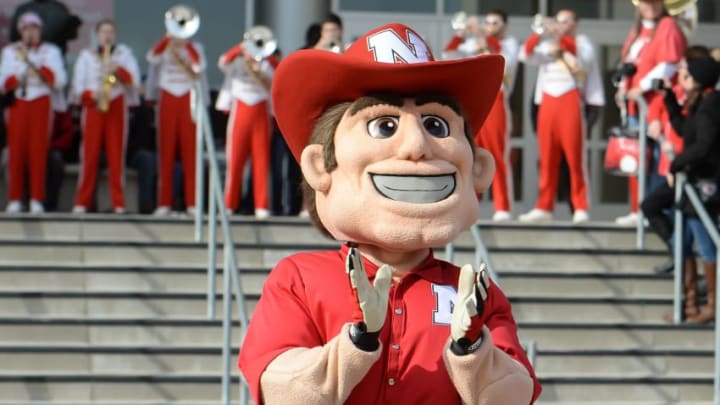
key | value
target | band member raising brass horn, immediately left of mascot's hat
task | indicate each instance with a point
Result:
(248, 82)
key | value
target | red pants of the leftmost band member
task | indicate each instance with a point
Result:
(28, 141)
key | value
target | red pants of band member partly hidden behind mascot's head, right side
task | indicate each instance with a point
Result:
(493, 137)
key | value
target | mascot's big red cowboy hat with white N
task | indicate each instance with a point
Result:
(392, 58)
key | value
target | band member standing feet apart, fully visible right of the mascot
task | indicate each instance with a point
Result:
(568, 76)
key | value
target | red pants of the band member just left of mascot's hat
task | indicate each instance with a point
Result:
(248, 132)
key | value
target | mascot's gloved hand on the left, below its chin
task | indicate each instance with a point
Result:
(370, 301)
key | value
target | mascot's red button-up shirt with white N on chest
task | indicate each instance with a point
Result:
(306, 300)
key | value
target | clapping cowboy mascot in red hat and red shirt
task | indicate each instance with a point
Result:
(383, 133)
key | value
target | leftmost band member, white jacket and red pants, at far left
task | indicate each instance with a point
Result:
(33, 72)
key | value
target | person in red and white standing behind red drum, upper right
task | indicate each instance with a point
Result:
(652, 50)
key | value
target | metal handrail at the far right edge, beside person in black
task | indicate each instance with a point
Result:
(682, 186)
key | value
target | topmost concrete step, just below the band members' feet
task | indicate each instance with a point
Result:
(142, 228)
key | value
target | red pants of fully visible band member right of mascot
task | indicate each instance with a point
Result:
(561, 133)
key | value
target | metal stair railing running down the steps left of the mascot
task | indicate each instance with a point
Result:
(217, 211)
